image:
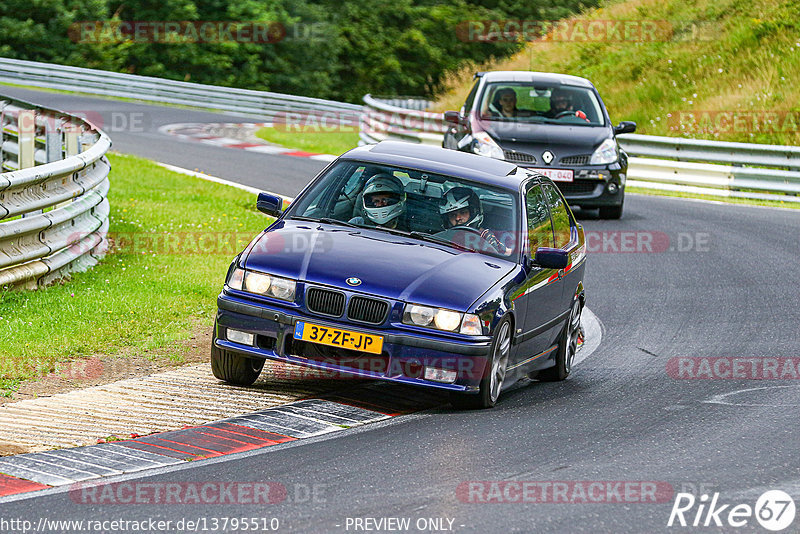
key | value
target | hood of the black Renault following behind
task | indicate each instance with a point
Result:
(561, 139)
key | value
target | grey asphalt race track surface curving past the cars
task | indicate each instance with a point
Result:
(724, 287)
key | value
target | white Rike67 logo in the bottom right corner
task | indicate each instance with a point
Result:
(774, 510)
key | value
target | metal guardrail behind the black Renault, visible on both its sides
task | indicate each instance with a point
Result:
(744, 170)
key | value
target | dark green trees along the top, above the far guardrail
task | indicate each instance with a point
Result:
(332, 49)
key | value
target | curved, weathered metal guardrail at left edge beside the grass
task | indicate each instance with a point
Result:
(53, 187)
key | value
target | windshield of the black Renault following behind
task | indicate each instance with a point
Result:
(541, 103)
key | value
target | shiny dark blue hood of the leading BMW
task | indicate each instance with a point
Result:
(390, 266)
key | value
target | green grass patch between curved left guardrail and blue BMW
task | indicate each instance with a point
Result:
(144, 295)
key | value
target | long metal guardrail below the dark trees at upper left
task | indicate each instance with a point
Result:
(262, 104)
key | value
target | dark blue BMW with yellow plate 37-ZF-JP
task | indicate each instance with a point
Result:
(412, 264)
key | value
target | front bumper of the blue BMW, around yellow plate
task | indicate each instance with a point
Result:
(403, 359)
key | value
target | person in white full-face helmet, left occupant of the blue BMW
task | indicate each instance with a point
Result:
(383, 202)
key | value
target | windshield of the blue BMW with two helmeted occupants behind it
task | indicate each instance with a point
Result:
(423, 205)
